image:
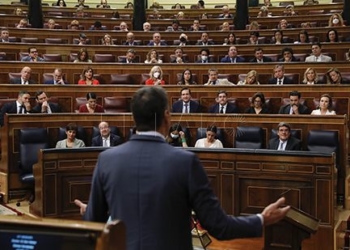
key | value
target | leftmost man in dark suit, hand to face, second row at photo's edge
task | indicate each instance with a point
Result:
(20, 106)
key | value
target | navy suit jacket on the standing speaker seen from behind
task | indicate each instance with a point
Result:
(138, 190)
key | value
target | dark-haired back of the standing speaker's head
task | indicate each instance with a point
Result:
(148, 106)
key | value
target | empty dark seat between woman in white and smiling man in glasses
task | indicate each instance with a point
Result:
(249, 137)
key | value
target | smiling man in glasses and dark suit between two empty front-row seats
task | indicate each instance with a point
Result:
(284, 141)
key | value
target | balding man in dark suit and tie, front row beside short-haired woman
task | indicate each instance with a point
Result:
(106, 138)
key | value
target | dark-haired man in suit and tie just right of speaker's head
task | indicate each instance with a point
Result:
(185, 105)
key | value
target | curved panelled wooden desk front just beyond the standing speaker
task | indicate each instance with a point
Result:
(244, 182)
